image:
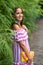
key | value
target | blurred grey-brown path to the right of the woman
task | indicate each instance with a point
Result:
(36, 43)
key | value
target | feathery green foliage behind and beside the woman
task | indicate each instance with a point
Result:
(32, 11)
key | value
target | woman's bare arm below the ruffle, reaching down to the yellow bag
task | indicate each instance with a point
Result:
(22, 44)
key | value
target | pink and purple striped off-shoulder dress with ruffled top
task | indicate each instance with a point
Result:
(18, 36)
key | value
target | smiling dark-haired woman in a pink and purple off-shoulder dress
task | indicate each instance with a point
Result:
(20, 39)
